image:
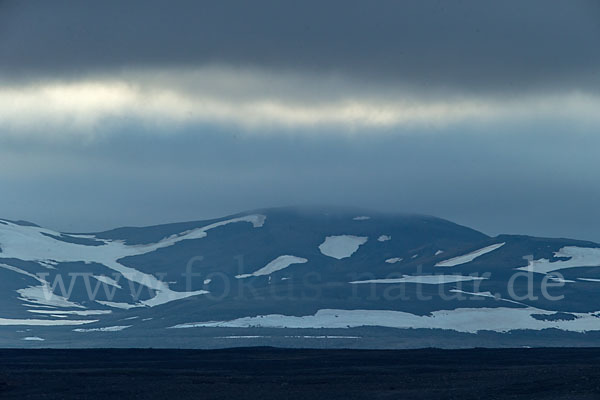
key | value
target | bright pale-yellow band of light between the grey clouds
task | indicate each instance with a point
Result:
(258, 102)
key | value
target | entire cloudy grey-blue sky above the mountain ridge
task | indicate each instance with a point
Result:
(143, 112)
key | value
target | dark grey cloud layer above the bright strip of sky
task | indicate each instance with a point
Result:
(465, 45)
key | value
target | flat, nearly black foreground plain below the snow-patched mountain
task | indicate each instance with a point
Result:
(269, 373)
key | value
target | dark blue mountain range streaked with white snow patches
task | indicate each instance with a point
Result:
(318, 277)
